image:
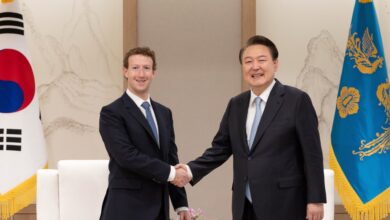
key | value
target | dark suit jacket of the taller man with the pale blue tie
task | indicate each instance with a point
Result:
(284, 167)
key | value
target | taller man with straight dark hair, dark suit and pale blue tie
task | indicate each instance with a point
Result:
(272, 133)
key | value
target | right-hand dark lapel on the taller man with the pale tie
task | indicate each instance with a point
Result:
(272, 107)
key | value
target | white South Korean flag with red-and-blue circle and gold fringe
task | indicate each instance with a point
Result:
(22, 144)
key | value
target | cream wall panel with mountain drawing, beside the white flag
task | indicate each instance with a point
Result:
(76, 50)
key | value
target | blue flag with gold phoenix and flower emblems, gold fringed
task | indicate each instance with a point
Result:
(360, 135)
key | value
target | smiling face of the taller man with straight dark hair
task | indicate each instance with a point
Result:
(258, 67)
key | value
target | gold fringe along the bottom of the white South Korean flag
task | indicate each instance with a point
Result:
(19, 197)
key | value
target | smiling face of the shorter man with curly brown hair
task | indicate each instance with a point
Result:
(139, 75)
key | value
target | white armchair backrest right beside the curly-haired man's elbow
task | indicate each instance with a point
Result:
(83, 184)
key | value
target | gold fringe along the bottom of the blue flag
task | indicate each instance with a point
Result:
(376, 209)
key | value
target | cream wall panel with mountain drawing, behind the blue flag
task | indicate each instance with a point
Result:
(311, 37)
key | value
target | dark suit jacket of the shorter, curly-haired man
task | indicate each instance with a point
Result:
(139, 168)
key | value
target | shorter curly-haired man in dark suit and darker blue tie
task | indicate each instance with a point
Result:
(139, 137)
